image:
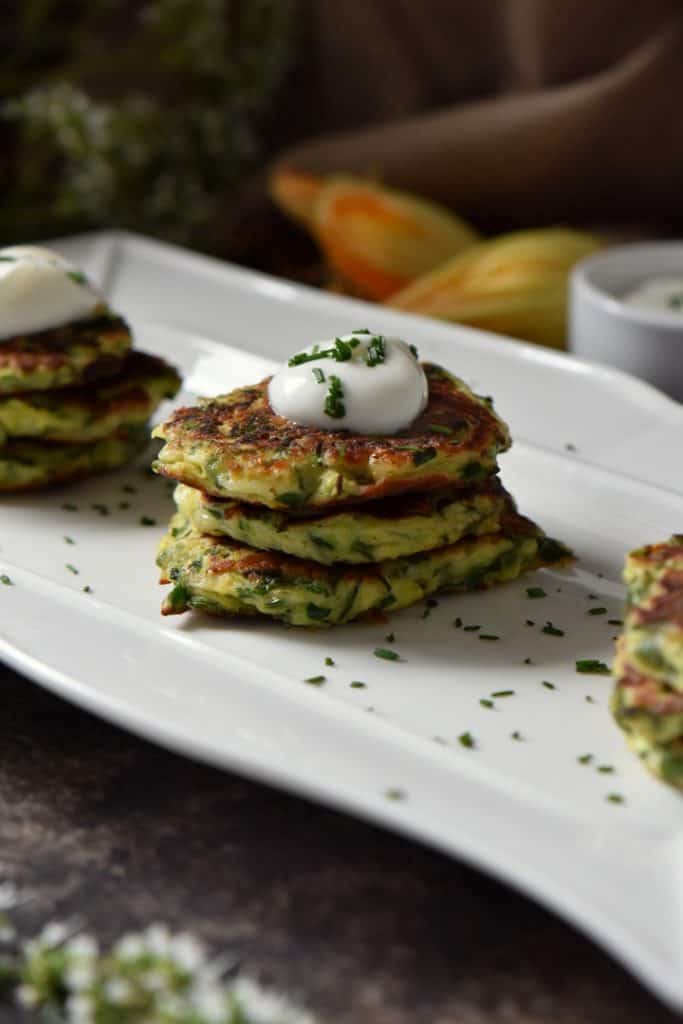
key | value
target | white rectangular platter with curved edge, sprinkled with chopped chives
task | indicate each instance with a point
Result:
(520, 803)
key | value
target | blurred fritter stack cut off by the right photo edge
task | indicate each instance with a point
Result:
(648, 702)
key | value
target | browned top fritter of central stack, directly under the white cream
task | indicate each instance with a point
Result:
(236, 447)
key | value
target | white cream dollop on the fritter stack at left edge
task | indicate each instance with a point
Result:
(40, 290)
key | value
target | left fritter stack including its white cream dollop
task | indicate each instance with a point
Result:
(75, 400)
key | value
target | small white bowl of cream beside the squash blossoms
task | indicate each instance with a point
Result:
(605, 329)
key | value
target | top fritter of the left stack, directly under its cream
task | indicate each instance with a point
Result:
(65, 357)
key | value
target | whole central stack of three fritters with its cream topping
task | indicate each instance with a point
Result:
(320, 527)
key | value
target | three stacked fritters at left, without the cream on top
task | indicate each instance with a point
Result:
(75, 401)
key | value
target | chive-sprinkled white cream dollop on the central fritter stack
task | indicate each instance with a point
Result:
(363, 382)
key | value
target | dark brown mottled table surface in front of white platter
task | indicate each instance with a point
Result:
(359, 925)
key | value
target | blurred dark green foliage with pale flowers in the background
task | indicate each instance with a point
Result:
(147, 118)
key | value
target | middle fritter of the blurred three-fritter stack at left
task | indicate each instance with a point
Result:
(89, 414)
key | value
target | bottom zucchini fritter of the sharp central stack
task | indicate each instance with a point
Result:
(226, 578)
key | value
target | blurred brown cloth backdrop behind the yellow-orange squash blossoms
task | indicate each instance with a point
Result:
(515, 113)
